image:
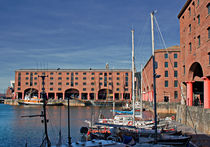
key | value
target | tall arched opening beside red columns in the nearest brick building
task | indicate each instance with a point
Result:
(197, 85)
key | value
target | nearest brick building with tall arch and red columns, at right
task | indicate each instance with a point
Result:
(194, 20)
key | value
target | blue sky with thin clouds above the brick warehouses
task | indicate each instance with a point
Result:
(81, 34)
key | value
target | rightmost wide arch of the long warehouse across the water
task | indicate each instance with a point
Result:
(105, 94)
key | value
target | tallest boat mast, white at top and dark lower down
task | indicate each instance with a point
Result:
(154, 75)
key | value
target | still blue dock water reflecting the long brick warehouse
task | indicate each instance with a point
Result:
(15, 130)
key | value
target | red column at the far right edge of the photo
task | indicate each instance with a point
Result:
(206, 93)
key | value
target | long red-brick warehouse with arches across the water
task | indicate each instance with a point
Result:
(91, 84)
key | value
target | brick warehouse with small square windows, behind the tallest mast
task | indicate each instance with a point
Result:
(167, 86)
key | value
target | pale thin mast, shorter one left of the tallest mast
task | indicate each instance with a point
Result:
(133, 72)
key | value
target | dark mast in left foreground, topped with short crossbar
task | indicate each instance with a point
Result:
(43, 95)
